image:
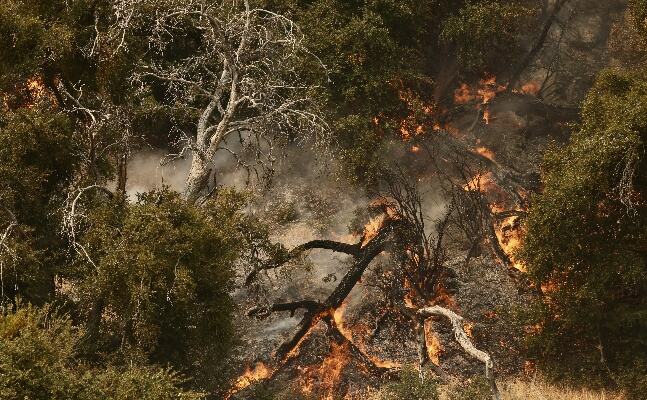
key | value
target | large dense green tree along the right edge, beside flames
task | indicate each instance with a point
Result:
(586, 236)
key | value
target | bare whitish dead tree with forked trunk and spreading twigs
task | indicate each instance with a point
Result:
(241, 82)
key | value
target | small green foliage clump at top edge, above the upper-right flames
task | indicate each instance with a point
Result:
(485, 34)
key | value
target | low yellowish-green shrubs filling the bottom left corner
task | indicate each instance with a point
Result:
(37, 361)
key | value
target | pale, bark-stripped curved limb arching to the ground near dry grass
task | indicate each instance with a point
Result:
(462, 339)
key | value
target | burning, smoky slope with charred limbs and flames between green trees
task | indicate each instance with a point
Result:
(345, 320)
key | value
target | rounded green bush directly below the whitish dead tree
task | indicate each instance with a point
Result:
(162, 275)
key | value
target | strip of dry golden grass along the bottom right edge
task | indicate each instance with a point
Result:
(538, 390)
